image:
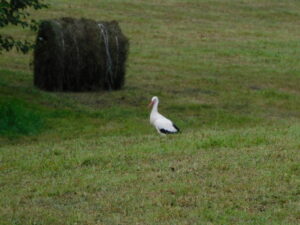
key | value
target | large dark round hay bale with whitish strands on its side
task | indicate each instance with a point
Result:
(80, 55)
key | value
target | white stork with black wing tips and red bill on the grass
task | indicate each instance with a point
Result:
(162, 124)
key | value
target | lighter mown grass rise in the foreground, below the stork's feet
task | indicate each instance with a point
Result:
(222, 177)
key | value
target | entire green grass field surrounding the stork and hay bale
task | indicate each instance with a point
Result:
(226, 71)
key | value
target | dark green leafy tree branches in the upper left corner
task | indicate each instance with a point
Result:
(15, 12)
